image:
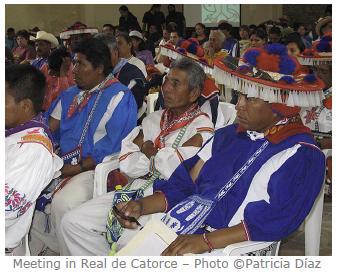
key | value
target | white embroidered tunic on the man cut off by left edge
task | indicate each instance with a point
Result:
(30, 166)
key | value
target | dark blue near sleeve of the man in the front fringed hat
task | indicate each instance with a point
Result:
(293, 189)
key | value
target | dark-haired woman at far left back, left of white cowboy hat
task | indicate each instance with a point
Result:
(24, 52)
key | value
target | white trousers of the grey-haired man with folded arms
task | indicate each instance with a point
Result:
(82, 230)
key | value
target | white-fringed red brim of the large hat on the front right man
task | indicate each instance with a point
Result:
(300, 94)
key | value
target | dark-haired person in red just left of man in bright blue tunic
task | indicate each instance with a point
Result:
(59, 75)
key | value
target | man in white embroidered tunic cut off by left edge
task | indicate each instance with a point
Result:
(30, 159)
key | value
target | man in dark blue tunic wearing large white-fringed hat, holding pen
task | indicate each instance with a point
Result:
(256, 180)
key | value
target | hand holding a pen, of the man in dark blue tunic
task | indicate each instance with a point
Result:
(132, 209)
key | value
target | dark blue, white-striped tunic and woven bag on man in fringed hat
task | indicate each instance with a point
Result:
(269, 187)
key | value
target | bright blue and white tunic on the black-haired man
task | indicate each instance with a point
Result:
(114, 117)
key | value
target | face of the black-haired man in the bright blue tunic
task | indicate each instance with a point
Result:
(85, 75)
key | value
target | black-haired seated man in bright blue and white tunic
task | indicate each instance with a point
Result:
(92, 119)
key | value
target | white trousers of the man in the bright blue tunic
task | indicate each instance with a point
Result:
(77, 191)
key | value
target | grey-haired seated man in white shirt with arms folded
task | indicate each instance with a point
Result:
(167, 137)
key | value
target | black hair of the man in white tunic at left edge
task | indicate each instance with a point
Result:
(26, 82)
